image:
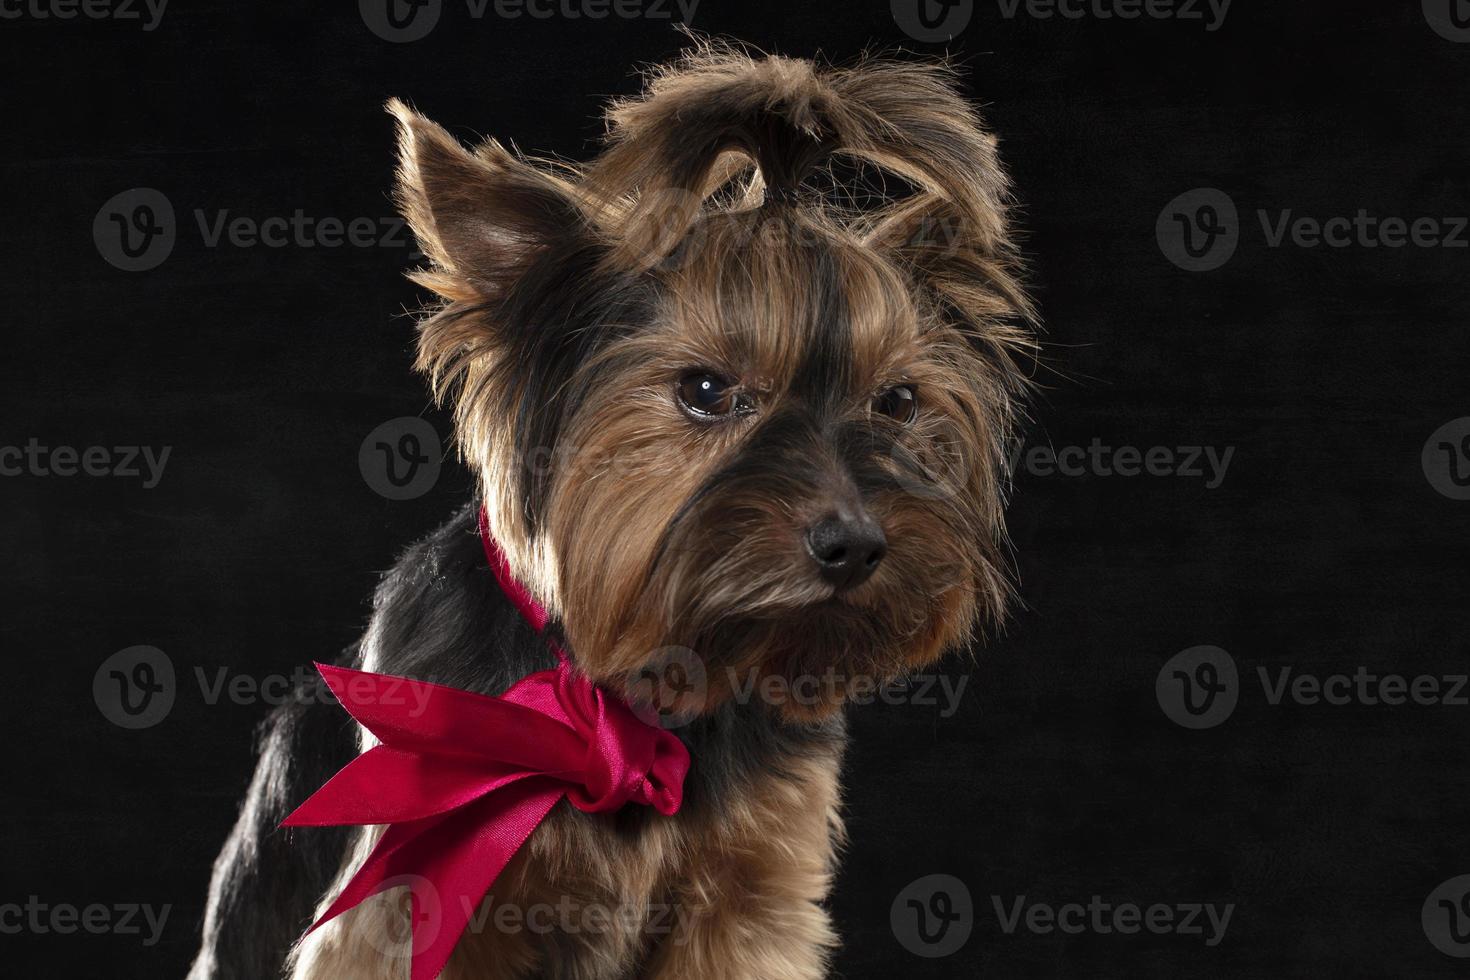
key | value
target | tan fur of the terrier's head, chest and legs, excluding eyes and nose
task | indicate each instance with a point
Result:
(711, 198)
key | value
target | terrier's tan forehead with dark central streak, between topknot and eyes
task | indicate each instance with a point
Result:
(790, 306)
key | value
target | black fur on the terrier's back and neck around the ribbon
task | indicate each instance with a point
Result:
(439, 616)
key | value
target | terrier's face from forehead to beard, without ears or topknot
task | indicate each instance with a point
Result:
(786, 471)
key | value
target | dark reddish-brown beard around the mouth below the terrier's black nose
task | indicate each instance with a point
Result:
(747, 624)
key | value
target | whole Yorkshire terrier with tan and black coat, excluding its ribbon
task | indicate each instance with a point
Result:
(742, 389)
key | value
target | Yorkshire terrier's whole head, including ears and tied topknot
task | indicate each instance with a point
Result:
(725, 390)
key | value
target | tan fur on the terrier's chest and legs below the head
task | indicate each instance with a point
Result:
(723, 888)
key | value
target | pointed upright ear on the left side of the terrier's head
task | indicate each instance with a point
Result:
(481, 217)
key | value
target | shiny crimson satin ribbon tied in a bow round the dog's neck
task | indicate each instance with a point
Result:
(462, 779)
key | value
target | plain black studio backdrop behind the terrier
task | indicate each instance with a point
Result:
(1241, 516)
